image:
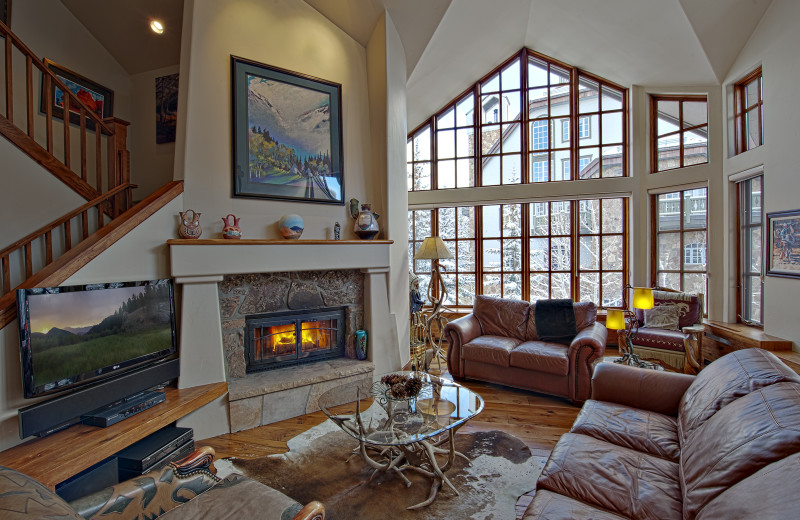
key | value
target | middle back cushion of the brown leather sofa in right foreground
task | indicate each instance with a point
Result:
(740, 439)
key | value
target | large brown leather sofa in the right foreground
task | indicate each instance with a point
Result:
(724, 444)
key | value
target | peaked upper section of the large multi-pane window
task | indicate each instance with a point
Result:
(497, 131)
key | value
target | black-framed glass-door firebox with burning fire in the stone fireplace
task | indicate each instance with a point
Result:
(278, 339)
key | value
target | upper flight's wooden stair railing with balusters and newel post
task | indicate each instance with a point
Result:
(73, 169)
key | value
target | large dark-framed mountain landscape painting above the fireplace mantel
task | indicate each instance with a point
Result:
(287, 134)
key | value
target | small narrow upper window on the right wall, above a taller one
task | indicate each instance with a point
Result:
(749, 112)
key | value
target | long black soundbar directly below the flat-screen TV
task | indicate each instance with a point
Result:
(49, 416)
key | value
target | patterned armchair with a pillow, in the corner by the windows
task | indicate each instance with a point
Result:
(670, 333)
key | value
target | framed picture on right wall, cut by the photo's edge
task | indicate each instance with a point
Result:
(783, 250)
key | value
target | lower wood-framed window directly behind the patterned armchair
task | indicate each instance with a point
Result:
(679, 248)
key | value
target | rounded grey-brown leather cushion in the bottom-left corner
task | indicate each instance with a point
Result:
(23, 497)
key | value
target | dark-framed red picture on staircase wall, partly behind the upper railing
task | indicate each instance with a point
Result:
(98, 98)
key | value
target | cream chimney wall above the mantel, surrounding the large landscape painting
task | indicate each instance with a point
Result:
(283, 33)
